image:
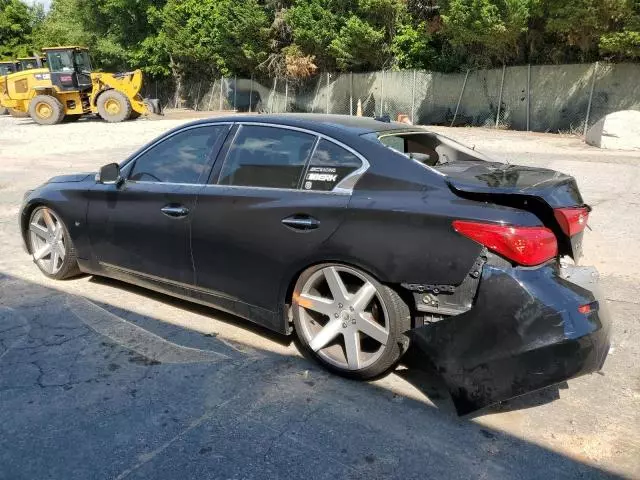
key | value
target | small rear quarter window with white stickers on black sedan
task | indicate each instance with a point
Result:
(329, 165)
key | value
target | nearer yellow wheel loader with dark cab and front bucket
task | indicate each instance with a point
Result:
(68, 89)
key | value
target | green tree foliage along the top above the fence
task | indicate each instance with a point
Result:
(297, 38)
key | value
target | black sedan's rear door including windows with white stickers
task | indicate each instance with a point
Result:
(275, 197)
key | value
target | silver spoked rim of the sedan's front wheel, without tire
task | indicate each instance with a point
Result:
(48, 243)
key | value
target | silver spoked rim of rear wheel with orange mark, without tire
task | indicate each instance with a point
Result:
(343, 317)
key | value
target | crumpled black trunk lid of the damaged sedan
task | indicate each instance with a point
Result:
(480, 177)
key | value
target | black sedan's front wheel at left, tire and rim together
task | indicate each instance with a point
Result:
(50, 244)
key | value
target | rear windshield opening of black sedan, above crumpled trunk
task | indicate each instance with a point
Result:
(428, 148)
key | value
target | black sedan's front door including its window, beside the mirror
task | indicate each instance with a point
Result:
(142, 226)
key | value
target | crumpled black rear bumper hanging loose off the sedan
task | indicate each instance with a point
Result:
(523, 333)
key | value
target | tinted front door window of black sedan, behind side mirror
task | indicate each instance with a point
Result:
(181, 158)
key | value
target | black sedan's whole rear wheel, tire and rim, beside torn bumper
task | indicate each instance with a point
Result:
(349, 321)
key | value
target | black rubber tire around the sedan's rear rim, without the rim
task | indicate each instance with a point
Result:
(399, 322)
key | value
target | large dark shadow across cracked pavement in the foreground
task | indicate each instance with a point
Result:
(82, 396)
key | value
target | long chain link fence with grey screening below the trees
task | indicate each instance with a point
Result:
(544, 98)
